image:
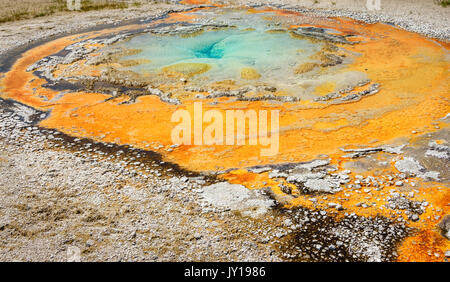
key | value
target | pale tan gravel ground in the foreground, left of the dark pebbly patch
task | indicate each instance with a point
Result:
(61, 203)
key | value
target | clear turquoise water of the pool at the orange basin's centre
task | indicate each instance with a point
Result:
(227, 51)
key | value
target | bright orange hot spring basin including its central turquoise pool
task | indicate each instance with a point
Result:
(362, 106)
